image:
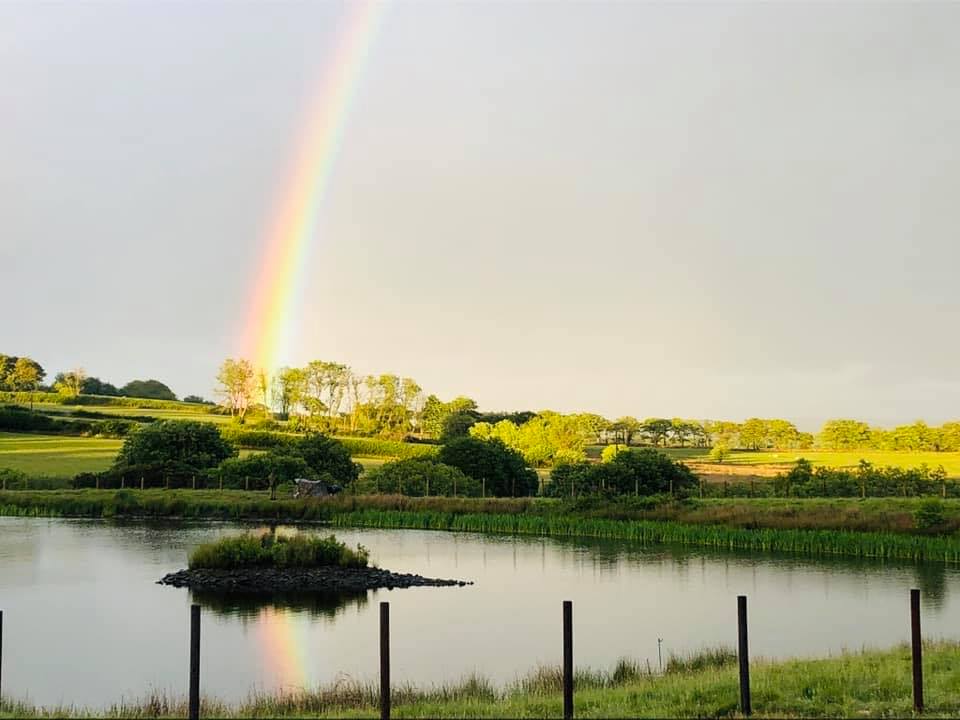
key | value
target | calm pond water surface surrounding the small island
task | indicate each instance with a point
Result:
(85, 622)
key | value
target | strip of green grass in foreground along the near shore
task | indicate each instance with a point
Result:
(852, 685)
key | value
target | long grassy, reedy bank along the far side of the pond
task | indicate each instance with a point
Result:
(692, 523)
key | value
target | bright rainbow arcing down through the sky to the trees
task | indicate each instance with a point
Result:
(269, 330)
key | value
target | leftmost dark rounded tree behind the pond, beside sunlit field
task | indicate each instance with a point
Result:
(188, 442)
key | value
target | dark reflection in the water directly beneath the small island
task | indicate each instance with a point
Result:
(249, 605)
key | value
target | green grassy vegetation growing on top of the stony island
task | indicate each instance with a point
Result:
(280, 551)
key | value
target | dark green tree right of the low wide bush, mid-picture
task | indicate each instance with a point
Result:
(502, 468)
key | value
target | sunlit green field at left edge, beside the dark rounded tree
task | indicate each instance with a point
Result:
(56, 455)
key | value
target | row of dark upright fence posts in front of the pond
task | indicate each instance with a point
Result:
(743, 657)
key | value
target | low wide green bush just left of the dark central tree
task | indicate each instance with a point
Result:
(416, 476)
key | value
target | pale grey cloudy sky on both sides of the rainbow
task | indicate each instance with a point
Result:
(700, 210)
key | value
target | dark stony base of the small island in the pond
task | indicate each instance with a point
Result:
(321, 579)
